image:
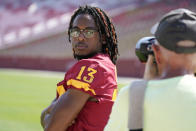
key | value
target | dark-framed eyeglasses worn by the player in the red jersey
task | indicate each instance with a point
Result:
(87, 32)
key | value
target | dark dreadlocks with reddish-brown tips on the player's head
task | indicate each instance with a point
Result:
(106, 29)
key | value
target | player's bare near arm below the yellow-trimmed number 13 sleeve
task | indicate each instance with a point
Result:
(66, 109)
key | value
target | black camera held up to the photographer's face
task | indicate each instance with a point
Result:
(144, 48)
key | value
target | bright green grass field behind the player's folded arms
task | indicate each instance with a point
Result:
(23, 95)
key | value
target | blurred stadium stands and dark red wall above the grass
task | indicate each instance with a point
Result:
(33, 33)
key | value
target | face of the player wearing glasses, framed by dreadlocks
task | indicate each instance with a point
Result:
(85, 37)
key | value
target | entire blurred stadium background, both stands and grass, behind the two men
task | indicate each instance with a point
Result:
(34, 44)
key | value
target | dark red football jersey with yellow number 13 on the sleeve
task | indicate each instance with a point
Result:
(97, 77)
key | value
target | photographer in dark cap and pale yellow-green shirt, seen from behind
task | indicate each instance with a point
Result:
(168, 104)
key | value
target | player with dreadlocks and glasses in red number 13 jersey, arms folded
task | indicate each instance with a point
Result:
(87, 93)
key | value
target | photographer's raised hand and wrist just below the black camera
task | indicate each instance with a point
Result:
(151, 69)
